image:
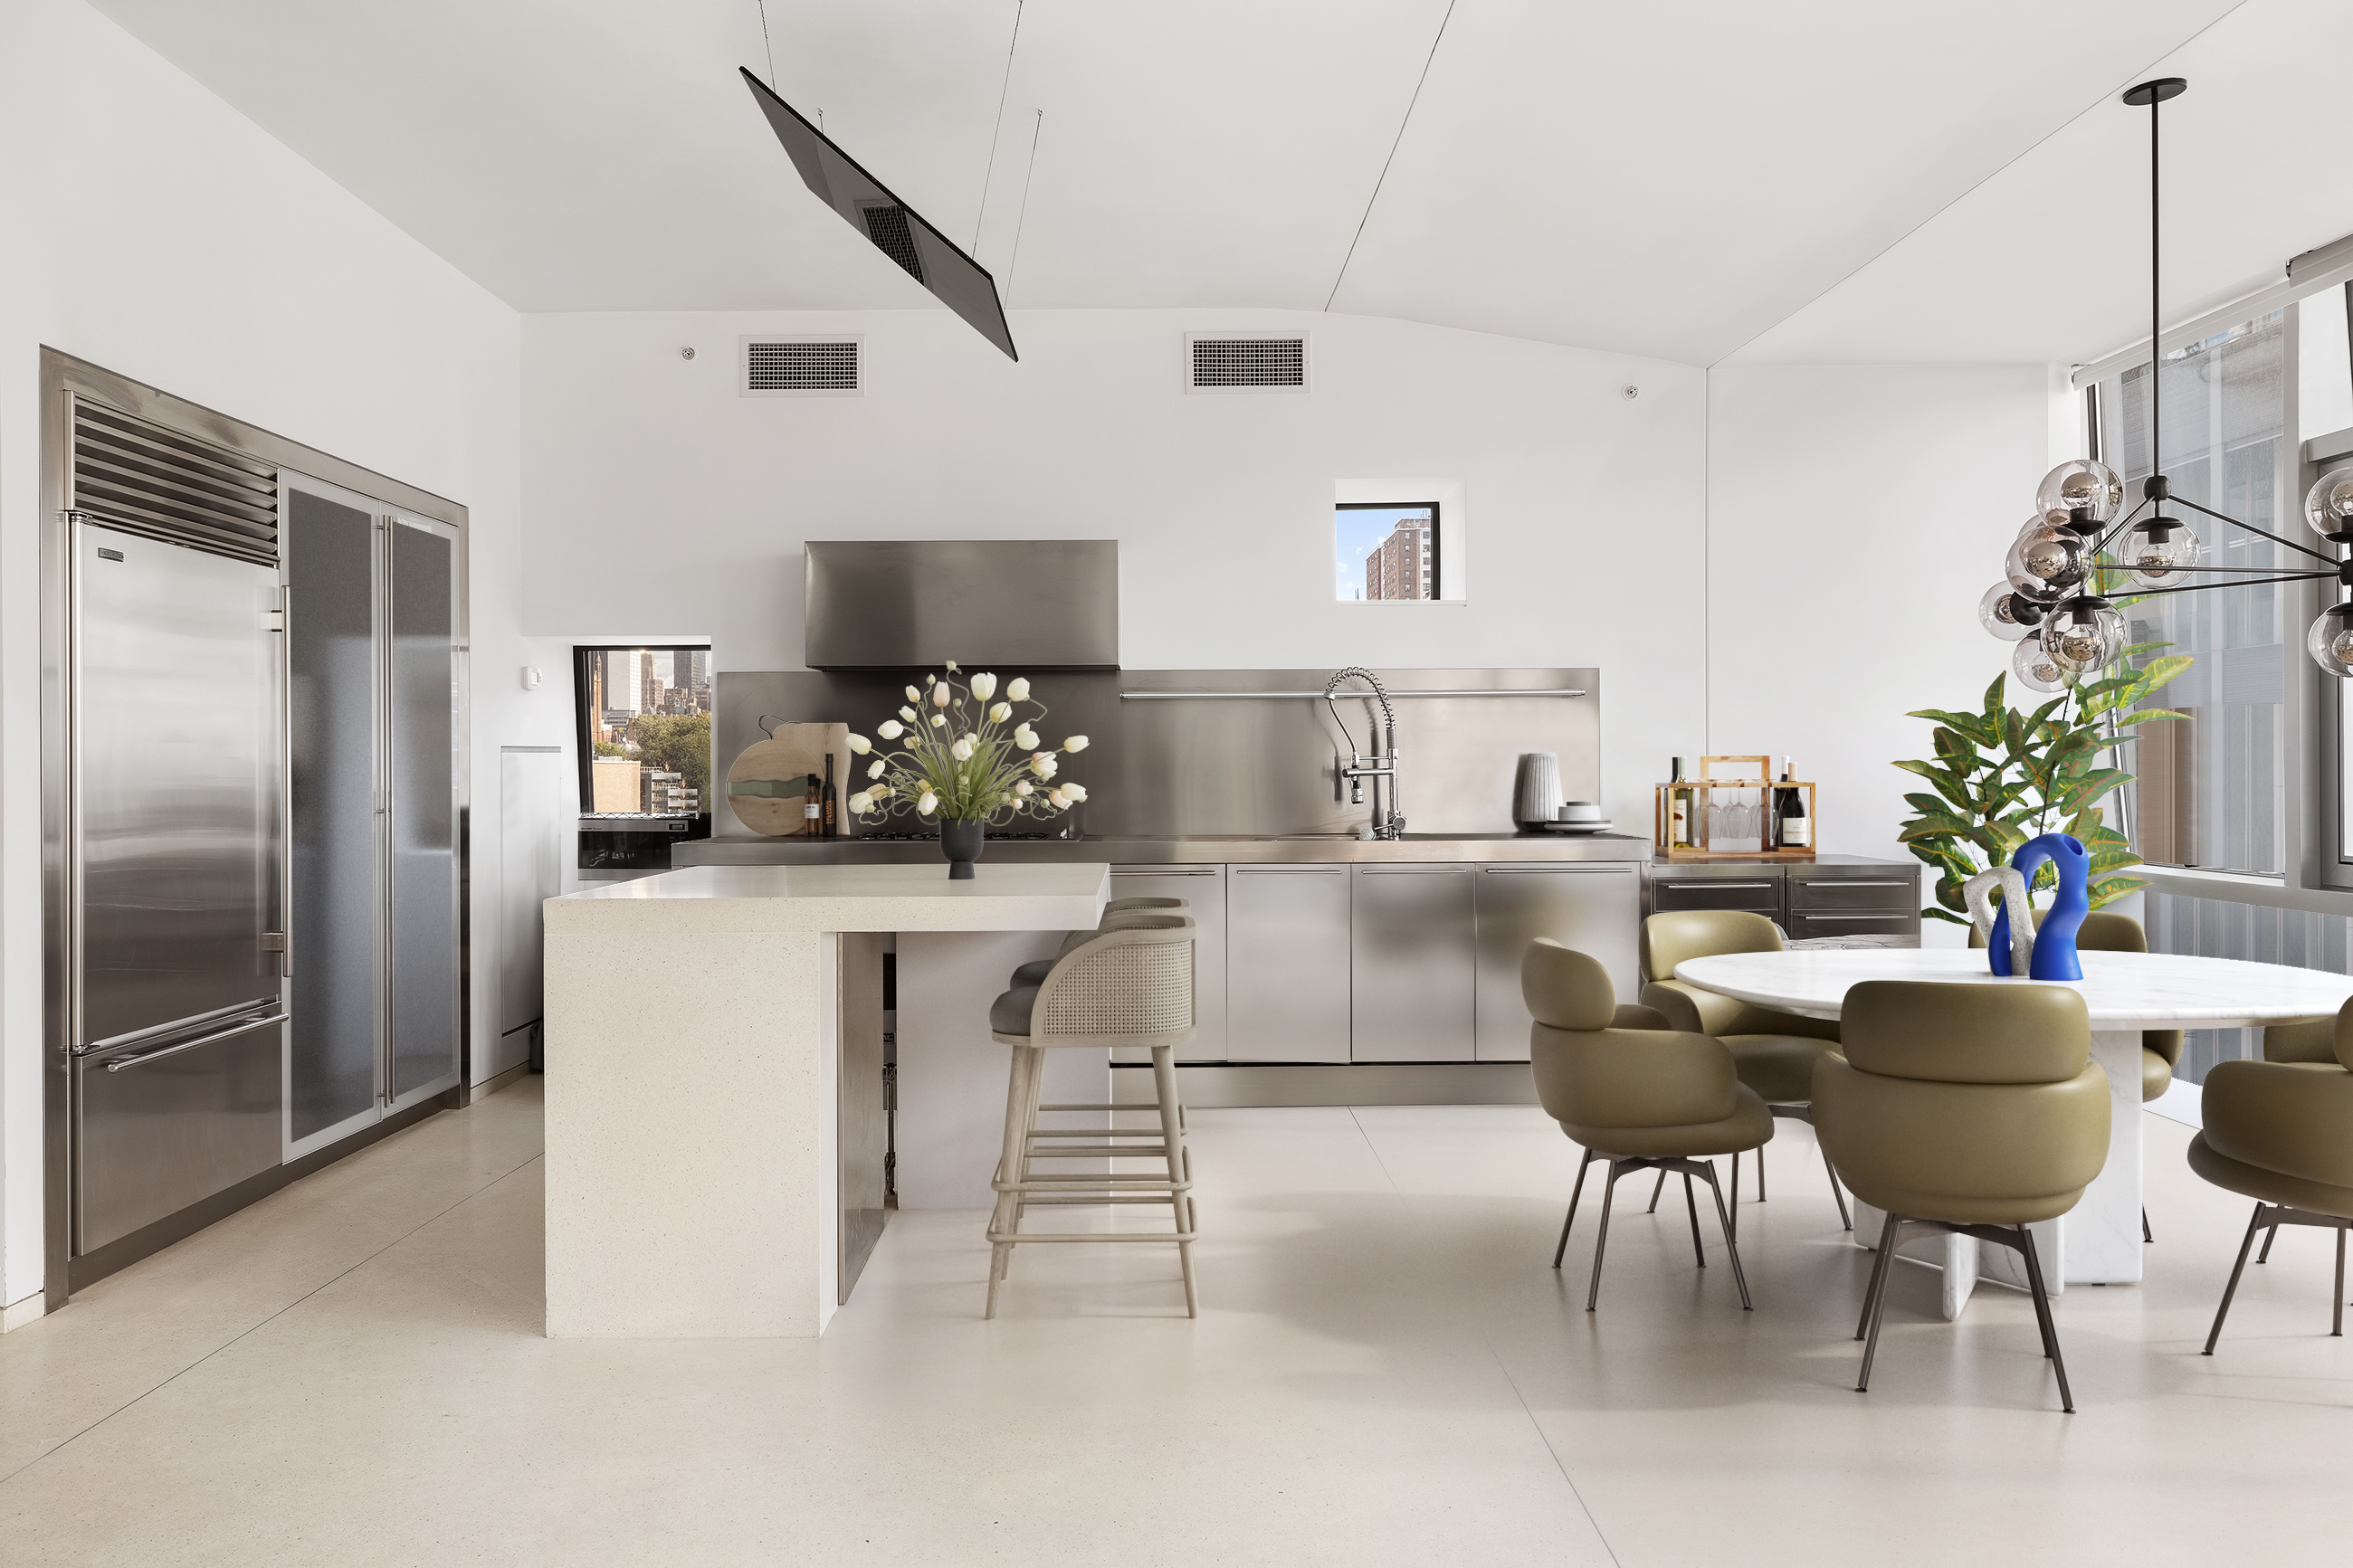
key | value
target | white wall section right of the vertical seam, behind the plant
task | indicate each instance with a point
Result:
(1855, 518)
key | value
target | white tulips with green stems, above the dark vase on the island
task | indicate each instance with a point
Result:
(966, 758)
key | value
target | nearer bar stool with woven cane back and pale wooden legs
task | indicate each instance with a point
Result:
(1124, 986)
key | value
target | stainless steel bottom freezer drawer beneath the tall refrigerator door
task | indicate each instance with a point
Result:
(164, 1134)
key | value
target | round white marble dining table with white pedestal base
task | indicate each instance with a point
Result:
(2100, 1240)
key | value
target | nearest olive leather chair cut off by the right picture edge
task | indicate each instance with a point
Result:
(2284, 1137)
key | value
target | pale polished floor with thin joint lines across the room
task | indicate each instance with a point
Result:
(1385, 1372)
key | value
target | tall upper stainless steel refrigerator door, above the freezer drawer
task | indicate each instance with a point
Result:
(180, 777)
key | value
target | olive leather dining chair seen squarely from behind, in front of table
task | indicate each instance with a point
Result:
(1968, 1111)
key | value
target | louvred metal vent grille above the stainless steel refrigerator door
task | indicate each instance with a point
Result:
(152, 481)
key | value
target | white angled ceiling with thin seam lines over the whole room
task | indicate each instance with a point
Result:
(1846, 180)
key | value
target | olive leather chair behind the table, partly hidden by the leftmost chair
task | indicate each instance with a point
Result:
(1773, 1052)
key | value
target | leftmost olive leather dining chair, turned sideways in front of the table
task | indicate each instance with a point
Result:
(1634, 1092)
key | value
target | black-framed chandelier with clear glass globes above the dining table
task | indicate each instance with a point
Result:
(2081, 535)
